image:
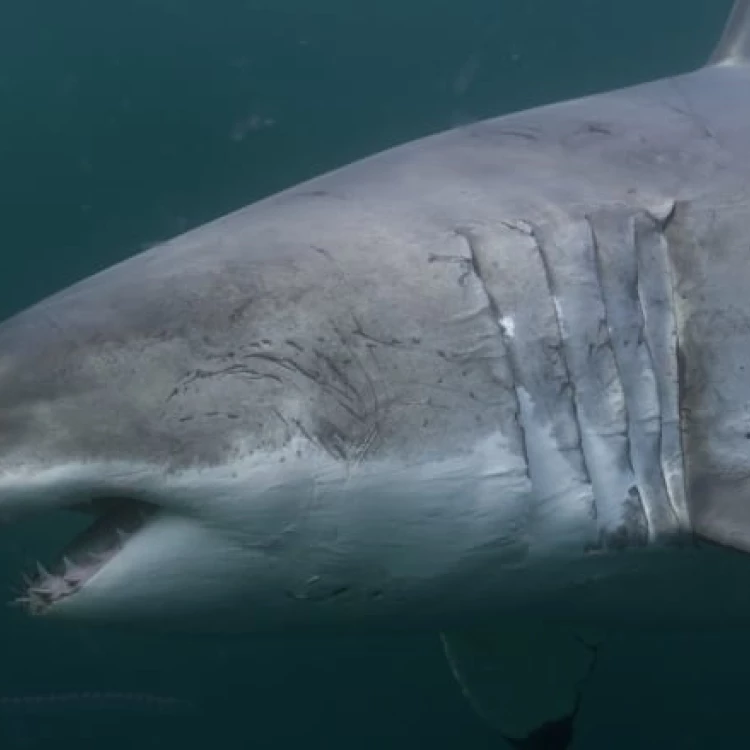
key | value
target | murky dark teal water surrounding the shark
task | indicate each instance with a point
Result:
(122, 124)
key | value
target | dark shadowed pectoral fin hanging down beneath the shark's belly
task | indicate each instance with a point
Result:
(527, 680)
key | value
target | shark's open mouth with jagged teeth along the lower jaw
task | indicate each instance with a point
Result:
(116, 521)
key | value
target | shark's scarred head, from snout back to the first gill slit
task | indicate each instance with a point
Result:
(250, 439)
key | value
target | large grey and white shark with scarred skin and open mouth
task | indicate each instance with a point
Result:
(494, 382)
